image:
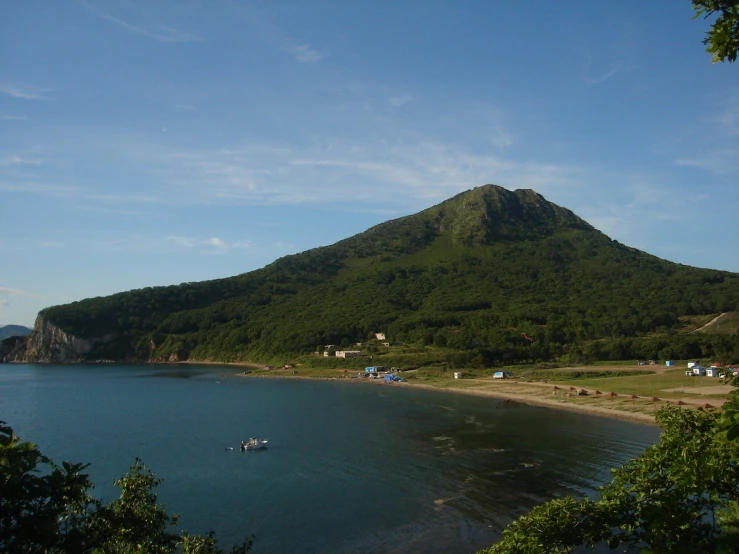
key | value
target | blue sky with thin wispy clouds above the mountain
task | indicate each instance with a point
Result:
(154, 143)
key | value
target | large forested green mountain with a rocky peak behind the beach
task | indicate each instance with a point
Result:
(491, 274)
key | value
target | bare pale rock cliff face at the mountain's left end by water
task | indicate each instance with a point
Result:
(49, 344)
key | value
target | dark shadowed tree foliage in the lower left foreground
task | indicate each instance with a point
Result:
(45, 508)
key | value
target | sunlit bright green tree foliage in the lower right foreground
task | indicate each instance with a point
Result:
(680, 496)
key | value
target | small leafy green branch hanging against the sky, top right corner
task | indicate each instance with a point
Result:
(722, 41)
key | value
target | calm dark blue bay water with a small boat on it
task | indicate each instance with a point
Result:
(351, 467)
